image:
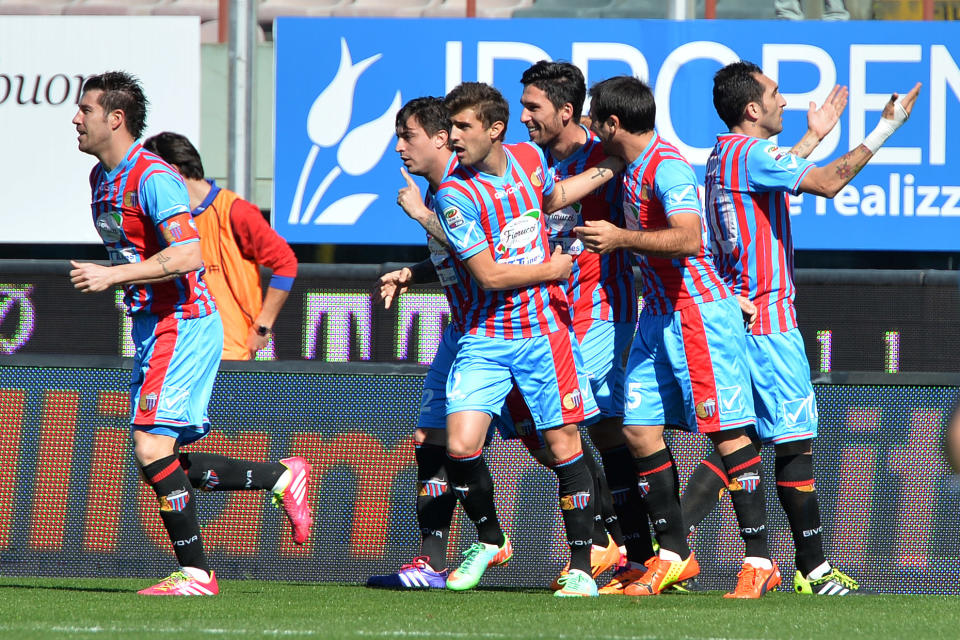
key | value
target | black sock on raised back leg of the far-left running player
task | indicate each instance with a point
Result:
(212, 472)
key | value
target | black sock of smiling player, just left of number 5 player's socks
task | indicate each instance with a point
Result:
(631, 512)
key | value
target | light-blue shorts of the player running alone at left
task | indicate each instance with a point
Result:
(174, 367)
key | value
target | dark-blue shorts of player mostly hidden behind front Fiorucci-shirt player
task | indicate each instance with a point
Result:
(513, 420)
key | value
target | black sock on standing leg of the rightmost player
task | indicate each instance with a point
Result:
(798, 496)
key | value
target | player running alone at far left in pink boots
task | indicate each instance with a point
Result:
(141, 211)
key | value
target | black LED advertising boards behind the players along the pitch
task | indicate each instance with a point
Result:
(71, 503)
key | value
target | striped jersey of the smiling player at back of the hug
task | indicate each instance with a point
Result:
(600, 286)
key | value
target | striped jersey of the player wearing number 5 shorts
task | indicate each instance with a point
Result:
(659, 184)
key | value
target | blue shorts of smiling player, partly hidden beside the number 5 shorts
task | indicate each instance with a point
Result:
(605, 346)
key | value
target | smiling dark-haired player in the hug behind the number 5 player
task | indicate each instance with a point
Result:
(603, 307)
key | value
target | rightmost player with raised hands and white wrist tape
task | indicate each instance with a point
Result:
(748, 180)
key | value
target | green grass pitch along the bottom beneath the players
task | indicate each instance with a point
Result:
(110, 608)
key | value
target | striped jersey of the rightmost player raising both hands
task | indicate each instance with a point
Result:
(748, 210)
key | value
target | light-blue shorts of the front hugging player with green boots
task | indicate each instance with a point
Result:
(547, 370)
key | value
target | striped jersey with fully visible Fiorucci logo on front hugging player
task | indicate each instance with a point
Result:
(503, 215)
